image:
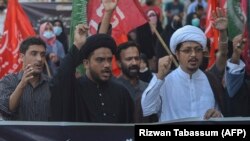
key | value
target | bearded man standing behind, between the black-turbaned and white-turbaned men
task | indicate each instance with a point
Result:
(128, 59)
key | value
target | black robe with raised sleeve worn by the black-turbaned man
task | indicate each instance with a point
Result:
(79, 100)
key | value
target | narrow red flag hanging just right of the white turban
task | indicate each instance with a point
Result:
(212, 33)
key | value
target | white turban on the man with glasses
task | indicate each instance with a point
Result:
(187, 33)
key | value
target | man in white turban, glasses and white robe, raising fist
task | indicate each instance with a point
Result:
(186, 91)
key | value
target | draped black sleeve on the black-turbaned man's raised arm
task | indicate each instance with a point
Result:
(62, 88)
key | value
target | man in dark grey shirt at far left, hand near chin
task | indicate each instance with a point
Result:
(26, 95)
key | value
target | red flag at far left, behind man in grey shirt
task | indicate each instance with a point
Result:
(16, 28)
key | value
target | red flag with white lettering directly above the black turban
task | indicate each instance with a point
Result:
(127, 16)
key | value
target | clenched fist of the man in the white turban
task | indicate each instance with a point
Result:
(164, 66)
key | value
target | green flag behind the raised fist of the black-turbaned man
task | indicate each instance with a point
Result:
(78, 16)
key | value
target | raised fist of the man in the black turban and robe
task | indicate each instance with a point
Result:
(80, 35)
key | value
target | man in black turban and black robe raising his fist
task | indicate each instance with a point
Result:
(98, 98)
